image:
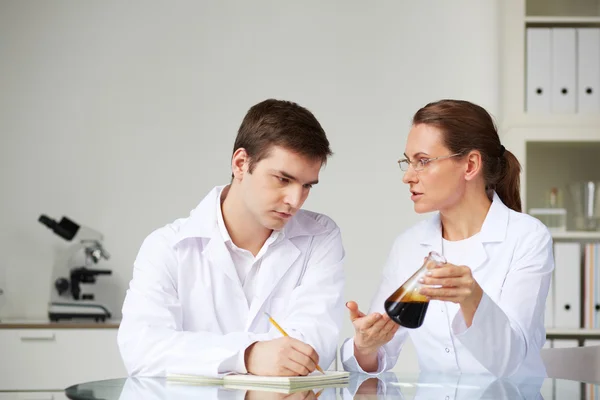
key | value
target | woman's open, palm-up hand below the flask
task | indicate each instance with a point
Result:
(370, 331)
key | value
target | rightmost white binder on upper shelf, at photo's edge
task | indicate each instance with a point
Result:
(588, 70)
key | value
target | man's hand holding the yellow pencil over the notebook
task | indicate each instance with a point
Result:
(285, 356)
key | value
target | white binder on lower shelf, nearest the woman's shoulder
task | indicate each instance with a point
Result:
(567, 285)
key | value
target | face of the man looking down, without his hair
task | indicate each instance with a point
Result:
(278, 186)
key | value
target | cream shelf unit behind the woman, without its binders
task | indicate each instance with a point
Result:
(522, 133)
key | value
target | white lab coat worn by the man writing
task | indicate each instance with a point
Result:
(186, 312)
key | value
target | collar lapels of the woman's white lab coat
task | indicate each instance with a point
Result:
(494, 229)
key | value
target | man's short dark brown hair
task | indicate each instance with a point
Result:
(281, 123)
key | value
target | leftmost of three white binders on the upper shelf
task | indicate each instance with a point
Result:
(539, 62)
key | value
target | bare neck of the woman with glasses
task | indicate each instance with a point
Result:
(467, 217)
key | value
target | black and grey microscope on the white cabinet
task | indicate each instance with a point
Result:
(72, 275)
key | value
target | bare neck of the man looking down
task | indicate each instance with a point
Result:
(245, 232)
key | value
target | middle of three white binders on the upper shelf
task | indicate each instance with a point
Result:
(564, 58)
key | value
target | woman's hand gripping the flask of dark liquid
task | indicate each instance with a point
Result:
(456, 285)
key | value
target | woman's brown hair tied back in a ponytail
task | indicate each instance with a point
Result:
(465, 127)
